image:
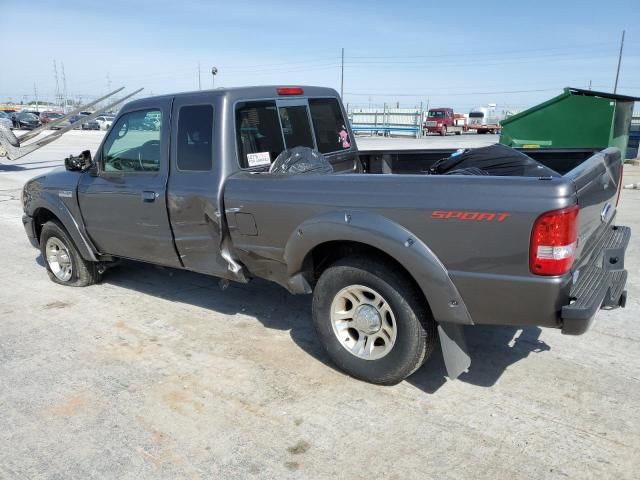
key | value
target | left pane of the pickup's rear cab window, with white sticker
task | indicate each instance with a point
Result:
(258, 133)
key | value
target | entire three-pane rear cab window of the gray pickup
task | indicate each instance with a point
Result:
(264, 128)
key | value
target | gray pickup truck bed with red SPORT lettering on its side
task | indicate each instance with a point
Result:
(487, 258)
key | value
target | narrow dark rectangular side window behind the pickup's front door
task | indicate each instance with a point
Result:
(195, 138)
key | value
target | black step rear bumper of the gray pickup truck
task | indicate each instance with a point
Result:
(598, 286)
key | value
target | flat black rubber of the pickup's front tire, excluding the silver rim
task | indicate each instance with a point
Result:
(83, 272)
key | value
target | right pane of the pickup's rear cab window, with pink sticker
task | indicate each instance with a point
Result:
(329, 125)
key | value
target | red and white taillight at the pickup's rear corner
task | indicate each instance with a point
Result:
(553, 242)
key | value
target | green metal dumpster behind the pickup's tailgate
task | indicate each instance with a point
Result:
(574, 119)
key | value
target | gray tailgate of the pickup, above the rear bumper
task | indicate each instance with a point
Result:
(597, 182)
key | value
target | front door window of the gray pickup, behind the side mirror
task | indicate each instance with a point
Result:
(133, 144)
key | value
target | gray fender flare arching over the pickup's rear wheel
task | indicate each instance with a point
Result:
(377, 231)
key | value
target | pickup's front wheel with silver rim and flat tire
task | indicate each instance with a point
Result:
(64, 263)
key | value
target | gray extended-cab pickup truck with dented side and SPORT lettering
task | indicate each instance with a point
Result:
(395, 258)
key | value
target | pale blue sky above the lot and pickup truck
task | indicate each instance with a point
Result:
(458, 54)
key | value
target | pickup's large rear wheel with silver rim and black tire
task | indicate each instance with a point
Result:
(372, 320)
